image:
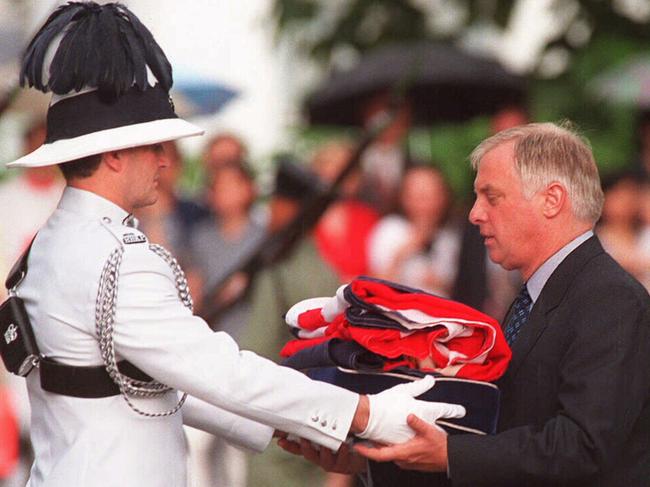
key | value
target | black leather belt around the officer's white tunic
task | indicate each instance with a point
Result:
(84, 382)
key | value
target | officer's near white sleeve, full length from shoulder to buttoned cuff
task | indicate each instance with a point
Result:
(154, 331)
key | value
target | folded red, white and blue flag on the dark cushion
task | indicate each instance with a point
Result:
(407, 326)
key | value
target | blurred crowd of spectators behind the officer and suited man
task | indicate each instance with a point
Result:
(392, 217)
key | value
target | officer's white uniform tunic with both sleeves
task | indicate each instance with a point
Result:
(102, 442)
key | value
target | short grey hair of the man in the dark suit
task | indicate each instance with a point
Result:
(546, 153)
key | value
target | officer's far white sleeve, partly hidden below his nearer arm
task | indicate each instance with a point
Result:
(235, 429)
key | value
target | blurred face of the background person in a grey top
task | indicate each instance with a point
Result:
(232, 191)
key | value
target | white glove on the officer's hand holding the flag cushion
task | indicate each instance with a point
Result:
(390, 408)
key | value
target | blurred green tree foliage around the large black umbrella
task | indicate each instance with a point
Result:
(613, 39)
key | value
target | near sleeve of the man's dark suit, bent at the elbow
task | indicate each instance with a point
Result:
(603, 384)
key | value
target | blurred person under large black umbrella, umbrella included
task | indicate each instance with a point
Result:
(415, 84)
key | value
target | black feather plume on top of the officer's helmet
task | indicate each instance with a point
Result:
(102, 46)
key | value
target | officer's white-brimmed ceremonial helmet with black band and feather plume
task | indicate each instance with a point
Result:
(110, 82)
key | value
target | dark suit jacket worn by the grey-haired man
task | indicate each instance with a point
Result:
(576, 397)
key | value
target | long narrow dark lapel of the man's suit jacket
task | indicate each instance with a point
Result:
(552, 294)
